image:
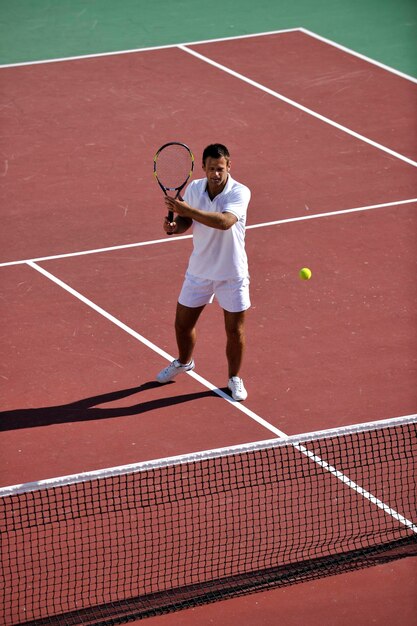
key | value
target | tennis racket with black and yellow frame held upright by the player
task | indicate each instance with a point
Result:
(173, 166)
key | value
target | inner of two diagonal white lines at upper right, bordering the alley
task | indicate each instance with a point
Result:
(296, 105)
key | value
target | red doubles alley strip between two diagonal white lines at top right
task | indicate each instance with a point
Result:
(340, 86)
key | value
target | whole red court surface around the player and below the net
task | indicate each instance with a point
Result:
(78, 378)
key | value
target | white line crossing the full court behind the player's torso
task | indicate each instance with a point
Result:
(288, 220)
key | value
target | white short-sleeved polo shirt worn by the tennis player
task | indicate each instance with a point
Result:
(219, 254)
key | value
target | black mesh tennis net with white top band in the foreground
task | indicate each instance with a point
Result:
(140, 540)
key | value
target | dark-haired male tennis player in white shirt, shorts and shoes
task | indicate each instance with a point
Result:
(216, 207)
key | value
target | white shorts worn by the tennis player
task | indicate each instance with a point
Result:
(232, 295)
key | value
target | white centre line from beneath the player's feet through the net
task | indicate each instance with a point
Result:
(313, 457)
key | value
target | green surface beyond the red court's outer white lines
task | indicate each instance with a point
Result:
(384, 30)
